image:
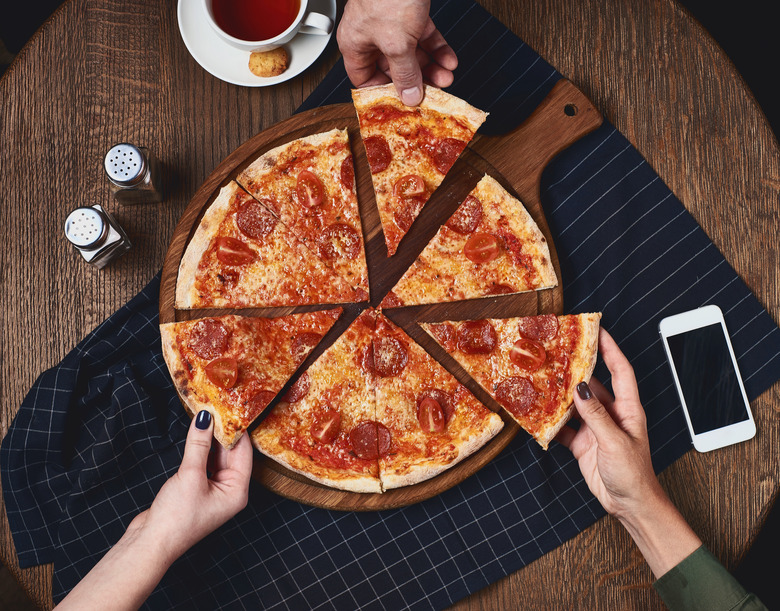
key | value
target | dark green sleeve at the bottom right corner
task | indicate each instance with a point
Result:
(701, 582)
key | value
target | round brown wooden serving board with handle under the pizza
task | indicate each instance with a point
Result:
(515, 159)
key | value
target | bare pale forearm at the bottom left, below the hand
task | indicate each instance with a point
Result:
(126, 575)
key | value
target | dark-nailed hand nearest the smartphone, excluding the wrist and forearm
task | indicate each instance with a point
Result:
(611, 445)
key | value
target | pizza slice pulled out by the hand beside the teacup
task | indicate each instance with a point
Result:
(410, 149)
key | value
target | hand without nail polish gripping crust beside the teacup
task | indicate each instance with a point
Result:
(383, 41)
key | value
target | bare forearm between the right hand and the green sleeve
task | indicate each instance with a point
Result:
(661, 534)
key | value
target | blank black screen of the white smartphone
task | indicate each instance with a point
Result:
(707, 377)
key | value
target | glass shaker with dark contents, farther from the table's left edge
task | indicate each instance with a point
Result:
(134, 174)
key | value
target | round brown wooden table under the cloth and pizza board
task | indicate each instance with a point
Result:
(103, 71)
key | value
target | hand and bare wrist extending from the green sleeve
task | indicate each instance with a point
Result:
(613, 451)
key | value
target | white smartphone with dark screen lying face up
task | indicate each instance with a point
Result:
(707, 378)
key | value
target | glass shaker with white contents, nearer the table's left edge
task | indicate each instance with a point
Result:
(96, 235)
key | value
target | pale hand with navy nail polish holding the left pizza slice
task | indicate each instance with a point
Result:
(191, 505)
